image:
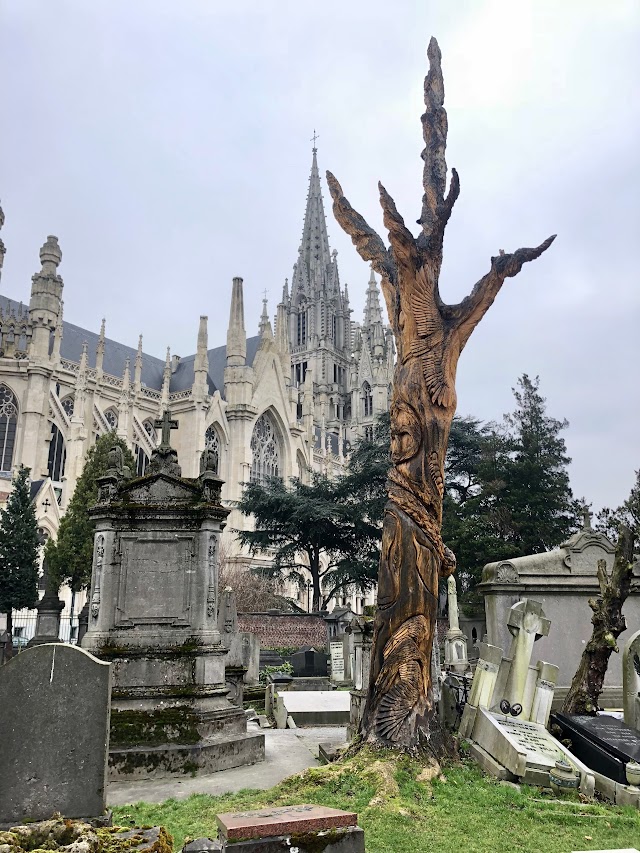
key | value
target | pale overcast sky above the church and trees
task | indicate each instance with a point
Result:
(167, 145)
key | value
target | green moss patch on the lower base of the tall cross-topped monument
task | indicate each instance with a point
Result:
(176, 725)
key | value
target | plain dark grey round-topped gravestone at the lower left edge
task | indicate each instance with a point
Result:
(54, 734)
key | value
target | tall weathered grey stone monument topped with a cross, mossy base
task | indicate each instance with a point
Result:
(154, 614)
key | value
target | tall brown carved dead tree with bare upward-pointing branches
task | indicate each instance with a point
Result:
(429, 338)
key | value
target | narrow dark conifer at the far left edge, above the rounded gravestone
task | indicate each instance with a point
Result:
(19, 544)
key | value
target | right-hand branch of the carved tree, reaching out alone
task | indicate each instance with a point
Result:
(468, 313)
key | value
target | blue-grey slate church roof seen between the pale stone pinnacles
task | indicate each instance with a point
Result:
(115, 355)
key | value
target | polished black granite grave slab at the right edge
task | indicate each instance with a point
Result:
(605, 744)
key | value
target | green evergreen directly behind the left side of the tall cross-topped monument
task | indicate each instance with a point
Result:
(70, 557)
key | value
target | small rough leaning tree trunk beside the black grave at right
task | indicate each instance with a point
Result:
(608, 623)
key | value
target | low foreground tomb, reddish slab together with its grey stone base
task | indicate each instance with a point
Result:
(304, 828)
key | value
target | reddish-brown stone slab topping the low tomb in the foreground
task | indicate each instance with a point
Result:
(240, 826)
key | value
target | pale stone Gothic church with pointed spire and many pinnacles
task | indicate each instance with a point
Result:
(286, 401)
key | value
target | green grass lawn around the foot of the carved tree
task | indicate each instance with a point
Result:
(463, 810)
